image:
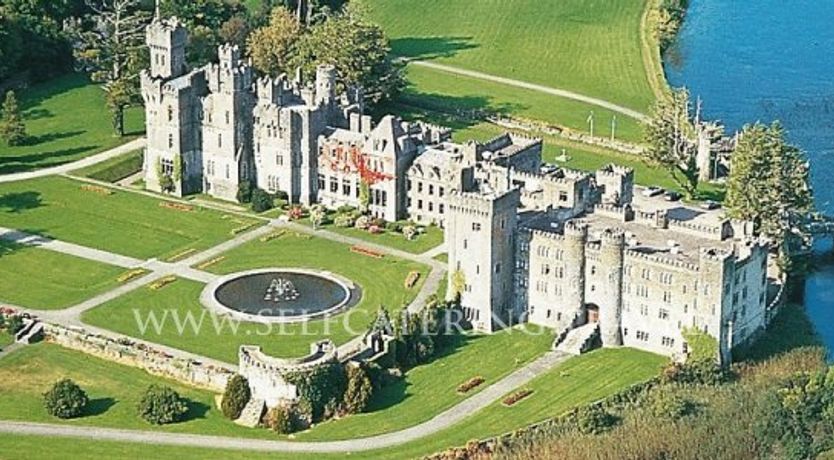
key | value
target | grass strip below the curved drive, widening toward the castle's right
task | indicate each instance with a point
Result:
(578, 381)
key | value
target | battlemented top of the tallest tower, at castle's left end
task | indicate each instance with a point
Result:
(167, 39)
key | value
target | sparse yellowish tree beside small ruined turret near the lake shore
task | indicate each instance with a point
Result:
(672, 141)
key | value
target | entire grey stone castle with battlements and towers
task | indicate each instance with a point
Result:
(577, 252)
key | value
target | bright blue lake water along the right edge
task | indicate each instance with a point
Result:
(768, 60)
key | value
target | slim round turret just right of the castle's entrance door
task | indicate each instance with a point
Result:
(610, 309)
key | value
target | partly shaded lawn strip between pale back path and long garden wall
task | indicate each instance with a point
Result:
(441, 91)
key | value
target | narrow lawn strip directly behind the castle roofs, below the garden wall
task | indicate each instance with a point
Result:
(590, 158)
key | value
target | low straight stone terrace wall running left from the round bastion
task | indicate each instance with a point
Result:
(135, 354)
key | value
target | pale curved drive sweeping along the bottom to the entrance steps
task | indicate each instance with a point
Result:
(440, 422)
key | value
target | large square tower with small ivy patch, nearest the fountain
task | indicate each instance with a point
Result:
(480, 234)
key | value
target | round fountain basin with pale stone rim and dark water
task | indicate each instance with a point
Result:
(280, 295)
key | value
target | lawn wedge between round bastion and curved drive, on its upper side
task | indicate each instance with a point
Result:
(429, 389)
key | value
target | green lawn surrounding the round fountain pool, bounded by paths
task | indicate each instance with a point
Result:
(381, 282)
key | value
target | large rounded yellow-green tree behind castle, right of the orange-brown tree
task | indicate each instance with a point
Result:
(357, 48)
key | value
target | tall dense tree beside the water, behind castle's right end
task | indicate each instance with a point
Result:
(769, 184)
